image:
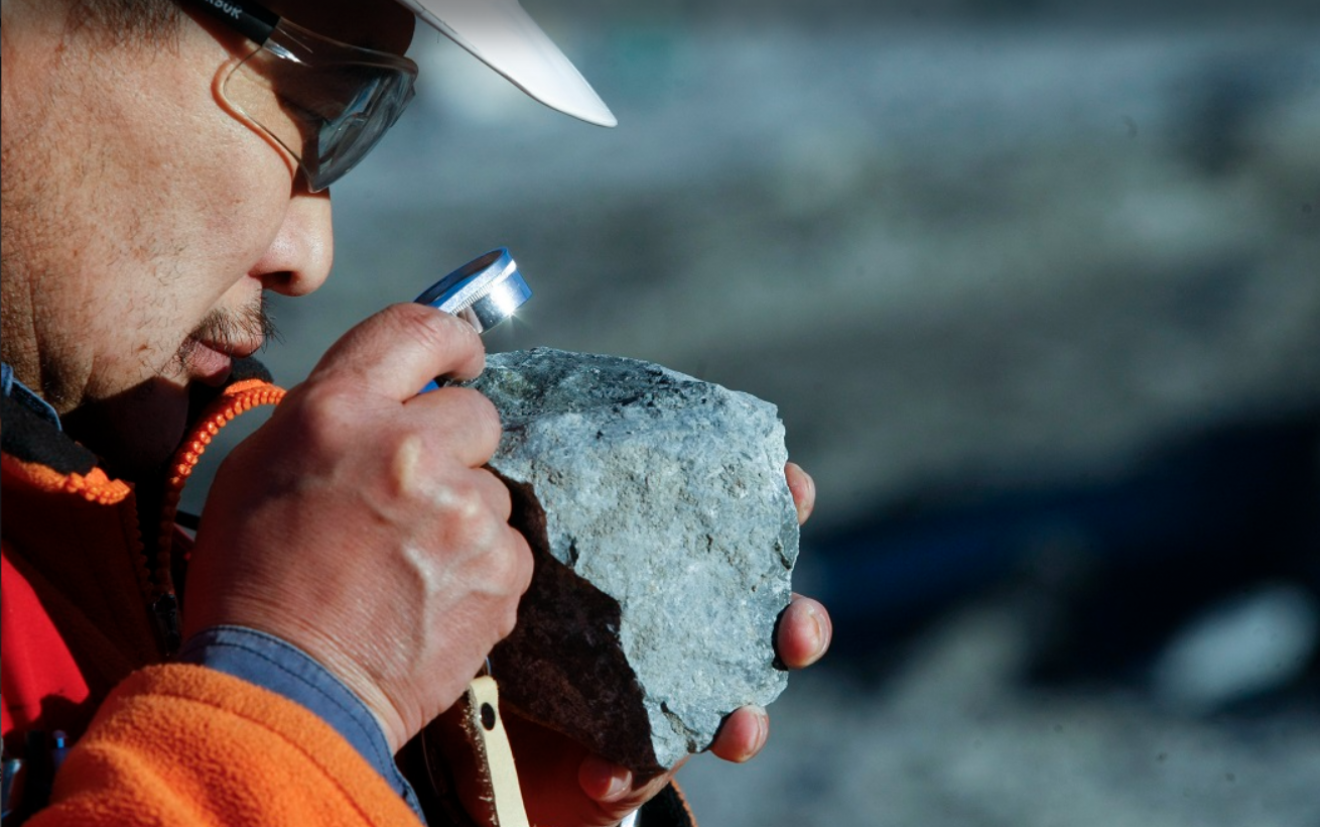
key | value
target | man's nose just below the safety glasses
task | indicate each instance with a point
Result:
(300, 257)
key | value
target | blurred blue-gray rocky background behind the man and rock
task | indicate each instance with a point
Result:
(1037, 290)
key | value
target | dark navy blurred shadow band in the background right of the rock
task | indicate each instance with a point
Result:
(1111, 569)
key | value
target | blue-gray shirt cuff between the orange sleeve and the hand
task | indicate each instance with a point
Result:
(282, 668)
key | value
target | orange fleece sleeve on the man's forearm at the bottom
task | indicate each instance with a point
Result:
(189, 746)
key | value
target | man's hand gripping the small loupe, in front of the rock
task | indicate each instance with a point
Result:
(360, 526)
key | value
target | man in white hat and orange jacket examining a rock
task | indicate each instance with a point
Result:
(164, 166)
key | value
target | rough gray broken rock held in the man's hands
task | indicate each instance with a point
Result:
(665, 537)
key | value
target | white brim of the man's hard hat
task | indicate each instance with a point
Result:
(505, 38)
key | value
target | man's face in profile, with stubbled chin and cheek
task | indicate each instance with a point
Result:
(143, 220)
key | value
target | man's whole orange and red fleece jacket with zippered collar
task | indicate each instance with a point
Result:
(168, 745)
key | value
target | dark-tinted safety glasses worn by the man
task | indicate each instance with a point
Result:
(327, 102)
